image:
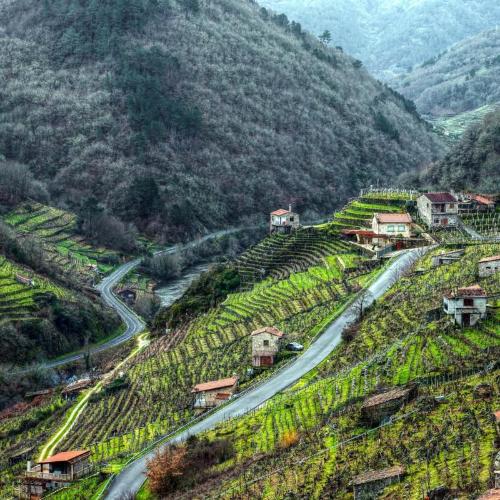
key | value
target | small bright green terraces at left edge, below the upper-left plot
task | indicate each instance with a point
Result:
(18, 300)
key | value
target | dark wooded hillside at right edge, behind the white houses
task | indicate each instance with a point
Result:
(473, 163)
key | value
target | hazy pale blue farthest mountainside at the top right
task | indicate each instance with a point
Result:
(390, 36)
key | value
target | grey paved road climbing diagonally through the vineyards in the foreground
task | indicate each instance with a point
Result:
(132, 477)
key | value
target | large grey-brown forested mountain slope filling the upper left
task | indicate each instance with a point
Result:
(185, 116)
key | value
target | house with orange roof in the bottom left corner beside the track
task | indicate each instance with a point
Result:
(55, 472)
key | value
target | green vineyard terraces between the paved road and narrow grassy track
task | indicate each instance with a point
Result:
(214, 345)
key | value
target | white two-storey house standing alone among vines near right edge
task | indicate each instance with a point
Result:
(466, 305)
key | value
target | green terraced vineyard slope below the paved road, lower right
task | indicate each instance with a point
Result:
(395, 345)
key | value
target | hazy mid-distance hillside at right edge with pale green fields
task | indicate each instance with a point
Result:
(463, 78)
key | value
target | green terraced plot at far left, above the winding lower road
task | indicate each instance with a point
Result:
(56, 229)
